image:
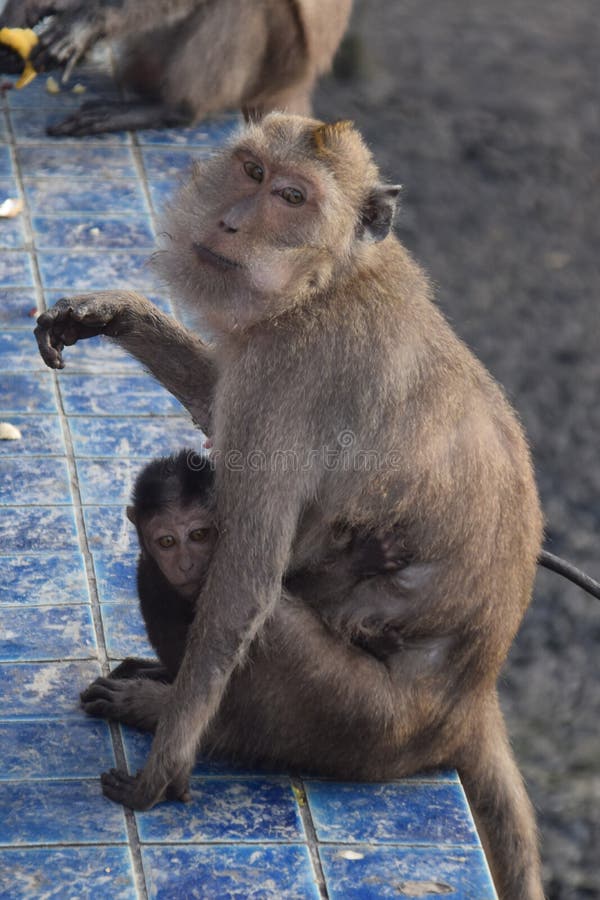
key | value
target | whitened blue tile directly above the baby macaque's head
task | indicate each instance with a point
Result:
(103, 436)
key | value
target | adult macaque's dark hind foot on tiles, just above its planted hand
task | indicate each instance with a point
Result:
(132, 701)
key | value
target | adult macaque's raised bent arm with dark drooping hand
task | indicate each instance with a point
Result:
(178, 359)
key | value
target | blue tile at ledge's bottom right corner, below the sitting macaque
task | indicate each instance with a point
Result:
(370, 873)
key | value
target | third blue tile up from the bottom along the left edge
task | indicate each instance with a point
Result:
(55, 749)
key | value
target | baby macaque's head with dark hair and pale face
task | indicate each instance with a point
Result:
(173, 512)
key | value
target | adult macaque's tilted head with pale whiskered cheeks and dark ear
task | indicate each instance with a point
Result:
(270, 220)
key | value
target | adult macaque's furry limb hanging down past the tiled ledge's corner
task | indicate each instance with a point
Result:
(502, 810)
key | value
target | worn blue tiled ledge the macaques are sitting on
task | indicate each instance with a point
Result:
(67, 594)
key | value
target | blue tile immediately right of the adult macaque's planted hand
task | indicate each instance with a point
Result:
(248, 810)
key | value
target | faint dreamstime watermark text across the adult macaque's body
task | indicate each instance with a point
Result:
(343, 455)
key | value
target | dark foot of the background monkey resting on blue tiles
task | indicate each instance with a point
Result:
(98, 117)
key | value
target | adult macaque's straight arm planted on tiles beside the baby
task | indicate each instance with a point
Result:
(257, 516)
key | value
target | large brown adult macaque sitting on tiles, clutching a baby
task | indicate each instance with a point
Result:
(329, 353)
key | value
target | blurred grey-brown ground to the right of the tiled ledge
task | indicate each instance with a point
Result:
(488, 113)
